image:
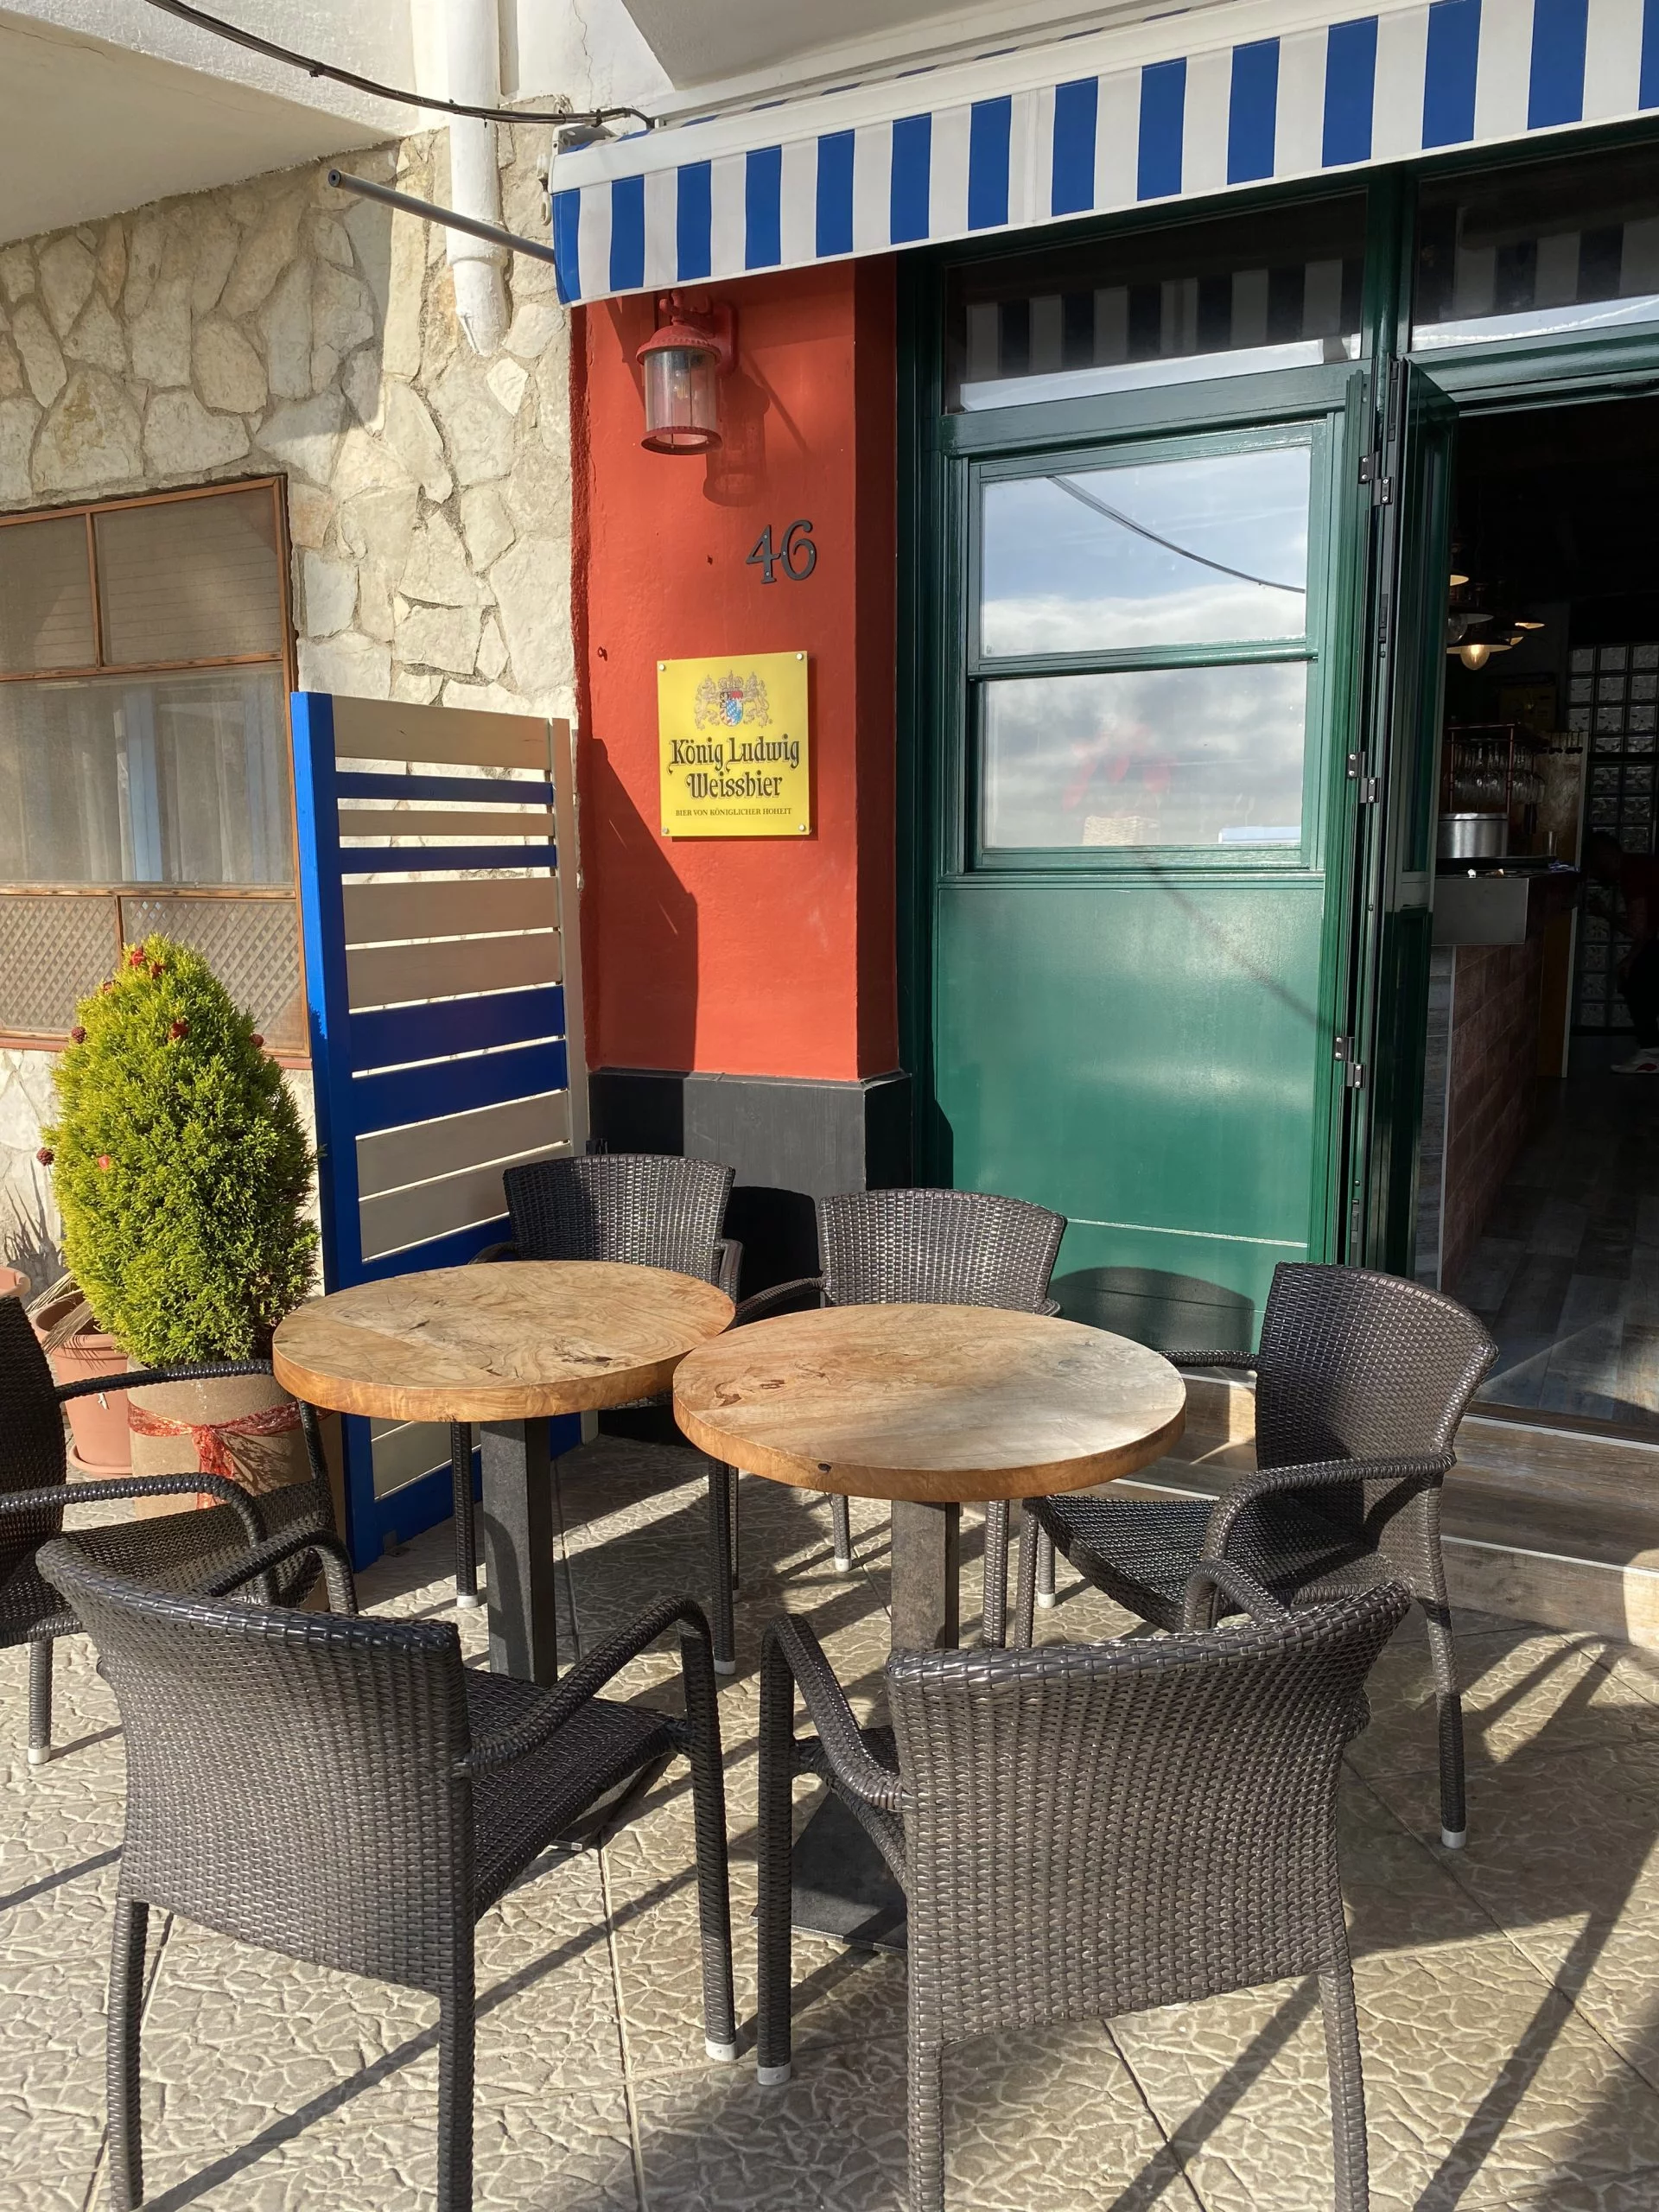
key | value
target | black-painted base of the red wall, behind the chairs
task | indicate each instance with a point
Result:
(789, 1138)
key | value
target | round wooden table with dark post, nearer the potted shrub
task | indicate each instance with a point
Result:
(508, 1348)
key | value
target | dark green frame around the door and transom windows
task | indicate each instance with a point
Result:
(1384, 959)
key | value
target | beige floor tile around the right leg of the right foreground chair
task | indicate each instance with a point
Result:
(1481, 2083)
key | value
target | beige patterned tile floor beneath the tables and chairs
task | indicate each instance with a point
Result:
(1510, 1996)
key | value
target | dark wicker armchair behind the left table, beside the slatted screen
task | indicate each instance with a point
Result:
(645, 1209)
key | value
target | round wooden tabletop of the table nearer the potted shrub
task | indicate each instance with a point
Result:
(505, 1342)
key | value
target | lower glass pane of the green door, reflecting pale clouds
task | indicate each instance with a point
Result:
(1149, 758)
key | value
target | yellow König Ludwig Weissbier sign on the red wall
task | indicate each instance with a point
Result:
(733, 742)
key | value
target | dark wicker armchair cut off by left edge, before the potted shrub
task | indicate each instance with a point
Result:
(178, 1552)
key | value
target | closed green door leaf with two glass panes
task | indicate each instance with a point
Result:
(1140, 806)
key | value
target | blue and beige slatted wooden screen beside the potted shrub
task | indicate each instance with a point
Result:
(388, 1074)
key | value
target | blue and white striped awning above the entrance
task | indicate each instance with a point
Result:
(1089, 125)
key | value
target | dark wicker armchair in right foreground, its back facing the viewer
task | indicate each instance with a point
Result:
(1092, 1830)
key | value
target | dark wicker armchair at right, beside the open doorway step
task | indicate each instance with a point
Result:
(1361, 1384)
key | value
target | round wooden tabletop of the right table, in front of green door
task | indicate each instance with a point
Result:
(930, 1401)
